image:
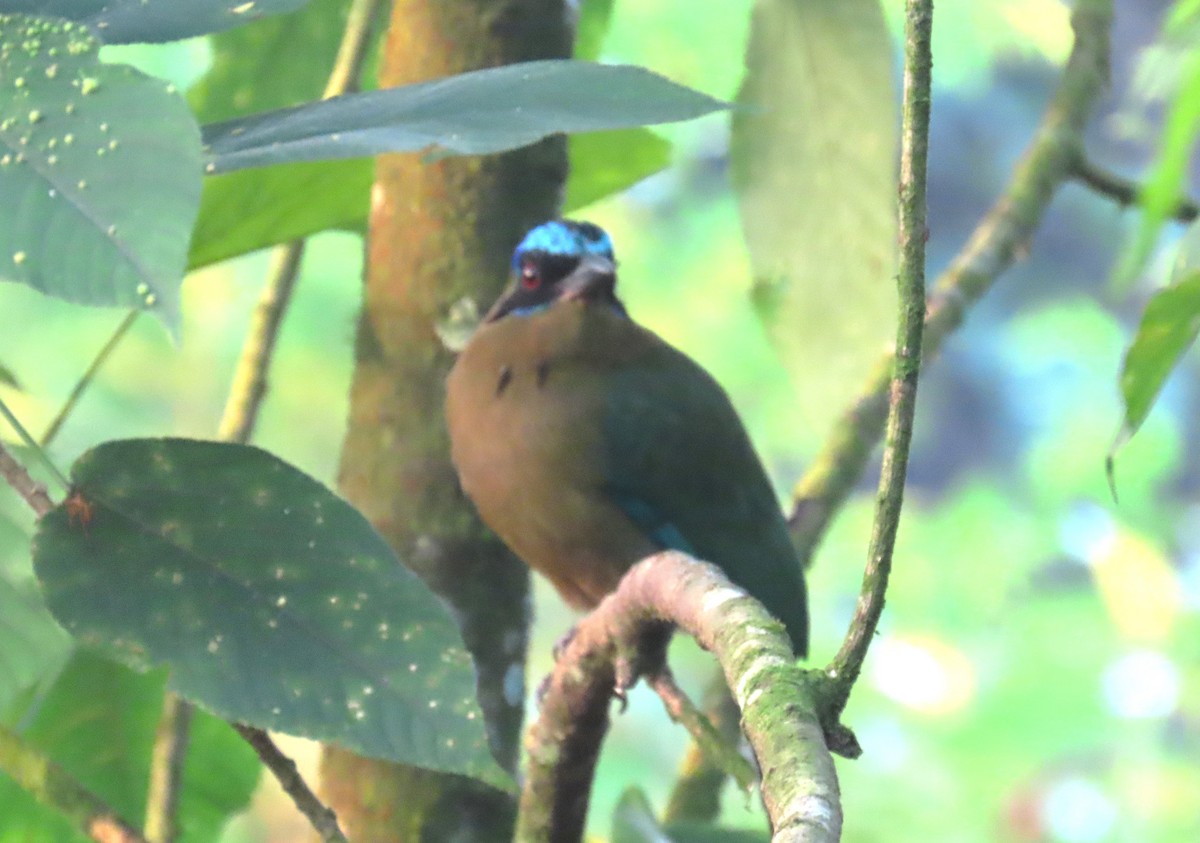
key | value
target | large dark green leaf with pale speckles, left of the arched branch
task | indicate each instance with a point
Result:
(272, 601)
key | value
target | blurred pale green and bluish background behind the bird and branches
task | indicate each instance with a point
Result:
(1036, 677)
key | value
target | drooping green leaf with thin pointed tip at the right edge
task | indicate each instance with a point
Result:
(1169, 327)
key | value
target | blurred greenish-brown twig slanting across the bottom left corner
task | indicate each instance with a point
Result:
(55, 787)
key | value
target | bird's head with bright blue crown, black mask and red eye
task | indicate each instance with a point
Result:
(560, 261)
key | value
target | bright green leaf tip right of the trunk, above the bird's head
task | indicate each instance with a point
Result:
(604, 164)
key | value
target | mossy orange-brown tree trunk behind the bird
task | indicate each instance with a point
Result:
(441, 231)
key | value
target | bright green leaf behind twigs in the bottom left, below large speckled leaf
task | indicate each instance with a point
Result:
(99, 722)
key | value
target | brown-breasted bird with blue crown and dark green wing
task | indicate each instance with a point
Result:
(587, 443)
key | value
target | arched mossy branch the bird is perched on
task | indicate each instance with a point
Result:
(779, 715)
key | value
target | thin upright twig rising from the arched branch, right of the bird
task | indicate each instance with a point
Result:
(914, 156)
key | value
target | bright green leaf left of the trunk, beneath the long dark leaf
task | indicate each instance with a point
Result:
(253, 210)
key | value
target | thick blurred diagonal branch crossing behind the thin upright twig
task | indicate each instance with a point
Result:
(999, 240)
